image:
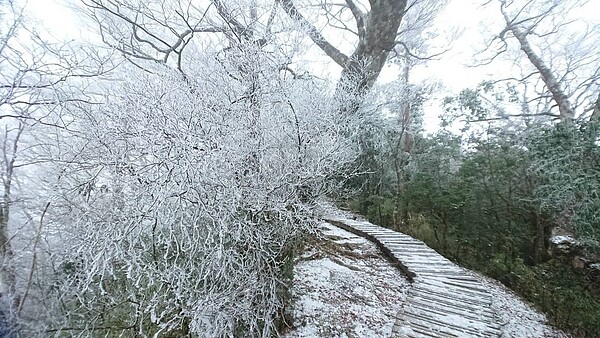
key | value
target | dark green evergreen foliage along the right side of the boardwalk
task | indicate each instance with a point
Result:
(490, 197)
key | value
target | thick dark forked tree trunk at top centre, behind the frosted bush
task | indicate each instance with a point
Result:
(372, 35)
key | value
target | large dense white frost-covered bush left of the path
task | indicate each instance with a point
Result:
(183, 209)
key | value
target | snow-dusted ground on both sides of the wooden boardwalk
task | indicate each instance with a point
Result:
(344, 287)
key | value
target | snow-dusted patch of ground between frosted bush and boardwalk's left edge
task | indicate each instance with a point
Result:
(345, 293)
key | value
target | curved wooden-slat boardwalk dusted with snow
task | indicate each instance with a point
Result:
(444, 300)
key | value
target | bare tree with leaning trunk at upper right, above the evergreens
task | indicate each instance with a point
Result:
(562, 52)
